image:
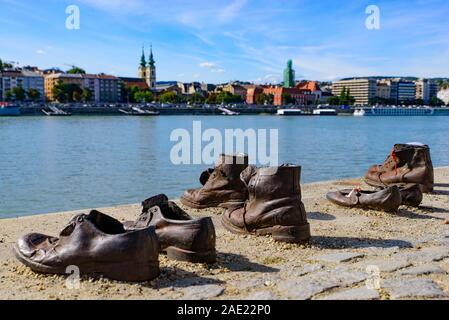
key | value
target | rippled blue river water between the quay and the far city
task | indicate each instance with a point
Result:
(66, 163)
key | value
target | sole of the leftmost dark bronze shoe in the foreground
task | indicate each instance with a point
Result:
(136, 272)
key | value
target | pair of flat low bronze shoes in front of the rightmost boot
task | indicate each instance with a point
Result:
(387, 199)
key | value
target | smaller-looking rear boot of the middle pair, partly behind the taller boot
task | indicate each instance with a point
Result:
(222, 186)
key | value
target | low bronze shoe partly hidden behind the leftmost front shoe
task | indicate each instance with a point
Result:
(180, 236)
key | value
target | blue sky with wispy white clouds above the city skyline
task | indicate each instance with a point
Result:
(218, 40)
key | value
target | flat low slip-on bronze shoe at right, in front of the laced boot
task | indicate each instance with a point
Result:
(388, 199)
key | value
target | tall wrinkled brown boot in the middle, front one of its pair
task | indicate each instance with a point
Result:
(274, 206)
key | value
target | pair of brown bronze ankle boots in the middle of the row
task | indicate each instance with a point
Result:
(260, 201)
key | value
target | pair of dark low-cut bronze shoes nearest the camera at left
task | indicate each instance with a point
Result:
(99, 244)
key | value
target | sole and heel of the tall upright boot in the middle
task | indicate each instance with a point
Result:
(289, 234)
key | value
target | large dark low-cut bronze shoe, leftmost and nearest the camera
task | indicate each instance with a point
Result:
(96, 244)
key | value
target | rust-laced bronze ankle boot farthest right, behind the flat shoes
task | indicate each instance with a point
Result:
(407, 163)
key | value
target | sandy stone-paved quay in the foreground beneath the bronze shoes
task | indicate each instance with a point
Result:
(403, 255)
